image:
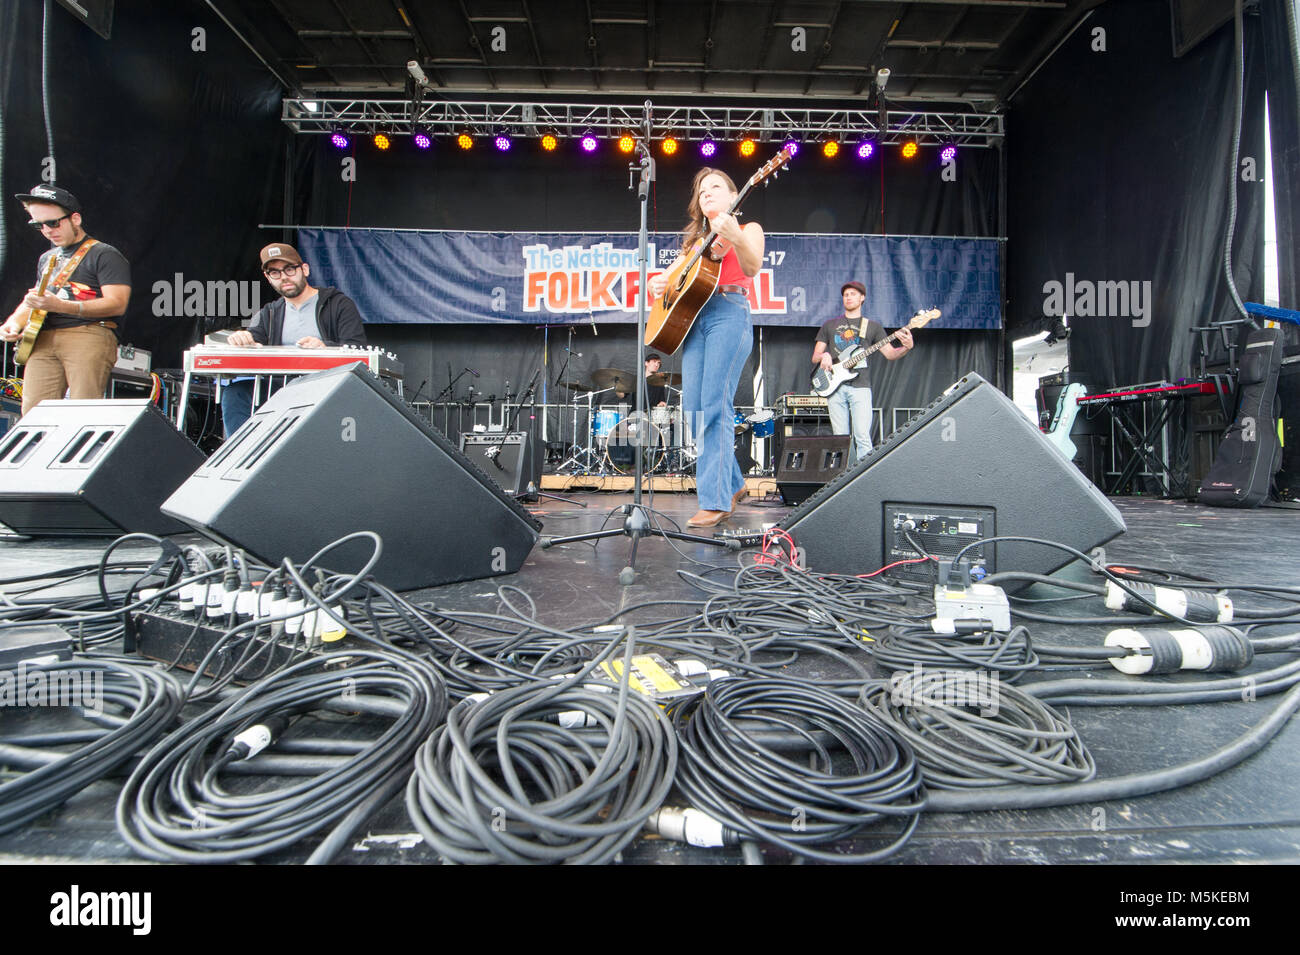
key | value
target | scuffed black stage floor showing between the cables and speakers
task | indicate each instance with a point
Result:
(1249, 814)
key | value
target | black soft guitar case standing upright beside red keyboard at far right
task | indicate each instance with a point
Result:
(1251, 453)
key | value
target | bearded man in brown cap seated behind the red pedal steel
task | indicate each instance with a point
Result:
(304, 316)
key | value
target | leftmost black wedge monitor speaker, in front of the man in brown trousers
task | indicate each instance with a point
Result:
(93, 468)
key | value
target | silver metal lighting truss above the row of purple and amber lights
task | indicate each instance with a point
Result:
(365, 116)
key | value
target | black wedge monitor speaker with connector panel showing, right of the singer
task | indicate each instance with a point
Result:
(969, 467)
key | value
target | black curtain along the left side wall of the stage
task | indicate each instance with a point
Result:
(176, 153)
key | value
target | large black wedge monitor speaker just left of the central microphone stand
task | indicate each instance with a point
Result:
(337, 453)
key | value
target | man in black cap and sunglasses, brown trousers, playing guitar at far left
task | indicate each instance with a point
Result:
(89, 292)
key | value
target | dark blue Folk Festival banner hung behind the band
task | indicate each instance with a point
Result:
(556, 279)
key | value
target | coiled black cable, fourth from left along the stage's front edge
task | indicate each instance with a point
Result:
(756, 792)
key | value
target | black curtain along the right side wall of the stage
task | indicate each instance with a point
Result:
(1120, 168)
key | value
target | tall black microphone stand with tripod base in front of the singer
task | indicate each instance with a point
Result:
(636, 523)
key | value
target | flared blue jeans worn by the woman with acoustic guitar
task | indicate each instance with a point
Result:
(713, 359)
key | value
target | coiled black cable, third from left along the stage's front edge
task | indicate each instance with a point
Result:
(505, 782)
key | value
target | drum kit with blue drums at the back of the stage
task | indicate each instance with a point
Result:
(618, 432)
